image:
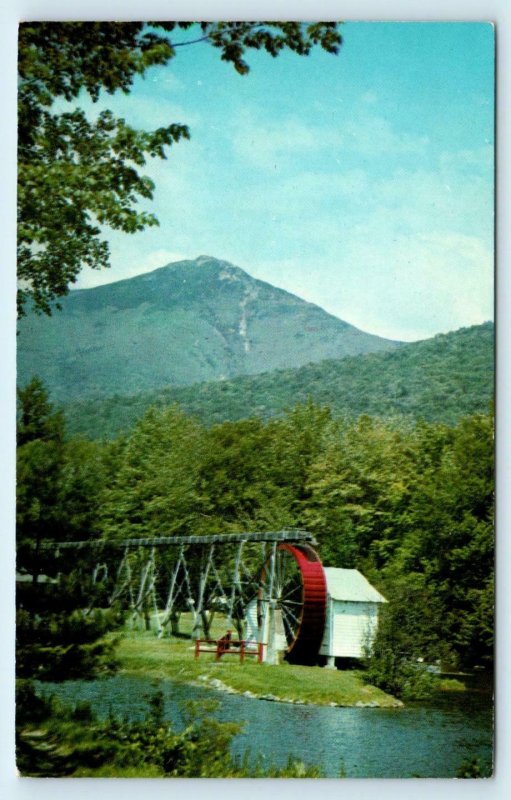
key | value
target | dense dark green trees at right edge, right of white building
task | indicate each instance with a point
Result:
(451, 535)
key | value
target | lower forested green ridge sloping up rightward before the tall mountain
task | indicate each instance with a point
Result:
(440, 379)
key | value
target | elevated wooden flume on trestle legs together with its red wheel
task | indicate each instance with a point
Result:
(157, 579)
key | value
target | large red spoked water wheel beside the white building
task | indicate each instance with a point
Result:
(296, 590)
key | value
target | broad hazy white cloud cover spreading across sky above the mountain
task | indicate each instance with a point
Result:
(371, 225)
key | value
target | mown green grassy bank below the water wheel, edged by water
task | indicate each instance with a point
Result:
(141, 653)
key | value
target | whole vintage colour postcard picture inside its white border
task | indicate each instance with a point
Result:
(255, 415)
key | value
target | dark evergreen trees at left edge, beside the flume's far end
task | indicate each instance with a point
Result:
(56, 484)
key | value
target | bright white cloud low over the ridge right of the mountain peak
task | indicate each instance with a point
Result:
(408, 288)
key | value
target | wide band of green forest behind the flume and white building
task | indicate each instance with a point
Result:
(409, 504)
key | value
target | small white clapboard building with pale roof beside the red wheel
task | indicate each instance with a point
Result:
(352, 614)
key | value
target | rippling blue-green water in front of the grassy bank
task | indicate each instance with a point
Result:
(420, 740)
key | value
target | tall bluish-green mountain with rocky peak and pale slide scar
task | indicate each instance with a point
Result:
(188, 322)
